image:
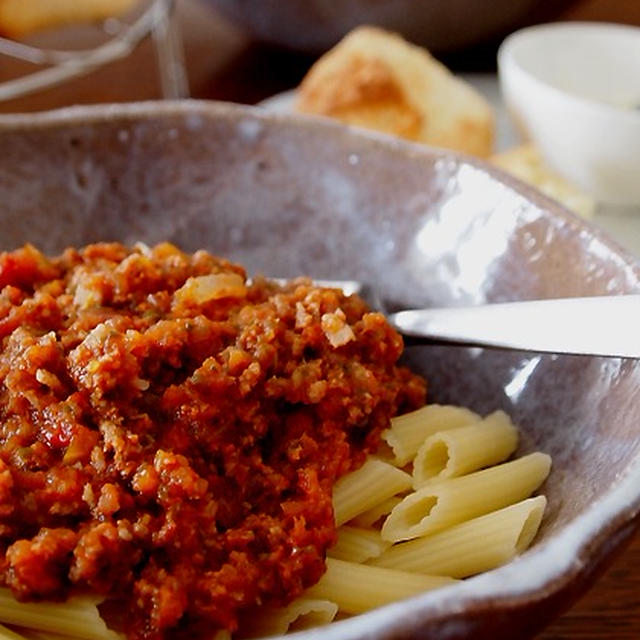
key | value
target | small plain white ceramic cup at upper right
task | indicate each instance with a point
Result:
(573, 88)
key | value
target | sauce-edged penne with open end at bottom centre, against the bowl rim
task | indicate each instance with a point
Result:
(302, 613)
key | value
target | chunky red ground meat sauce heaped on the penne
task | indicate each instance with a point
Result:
(170, 432)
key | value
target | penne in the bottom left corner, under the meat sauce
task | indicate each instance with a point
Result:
(77, 617)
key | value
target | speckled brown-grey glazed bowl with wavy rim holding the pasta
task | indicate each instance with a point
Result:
(287, 195)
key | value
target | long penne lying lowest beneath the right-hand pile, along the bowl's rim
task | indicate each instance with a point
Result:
(359, 587)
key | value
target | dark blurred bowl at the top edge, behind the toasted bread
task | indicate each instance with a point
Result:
(441, 25)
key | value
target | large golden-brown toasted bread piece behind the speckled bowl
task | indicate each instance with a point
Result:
(377, 80)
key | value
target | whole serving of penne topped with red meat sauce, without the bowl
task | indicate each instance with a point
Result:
(174, 432)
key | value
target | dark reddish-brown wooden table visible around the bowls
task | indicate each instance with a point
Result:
(223, 63)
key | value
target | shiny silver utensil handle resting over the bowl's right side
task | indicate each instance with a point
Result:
(600, 325)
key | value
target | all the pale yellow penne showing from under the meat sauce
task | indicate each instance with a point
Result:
(429, 538)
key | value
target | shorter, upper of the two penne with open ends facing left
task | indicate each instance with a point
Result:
(455, 452)
